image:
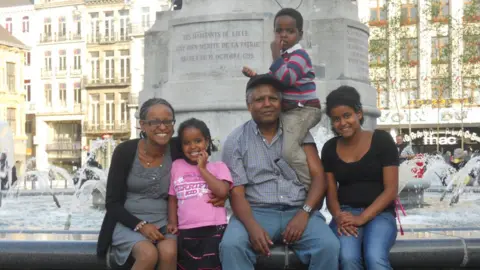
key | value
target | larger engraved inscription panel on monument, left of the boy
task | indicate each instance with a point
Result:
(217, 48)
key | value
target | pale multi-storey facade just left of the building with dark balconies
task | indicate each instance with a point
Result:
(60, 55)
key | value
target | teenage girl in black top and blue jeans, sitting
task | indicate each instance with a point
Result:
(362, 174)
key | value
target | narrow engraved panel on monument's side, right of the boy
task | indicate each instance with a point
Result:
(357, 53)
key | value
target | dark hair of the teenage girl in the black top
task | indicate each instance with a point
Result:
(344, 96)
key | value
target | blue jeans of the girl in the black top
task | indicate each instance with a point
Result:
(375, 239)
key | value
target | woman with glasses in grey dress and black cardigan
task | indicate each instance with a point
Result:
(137, 193)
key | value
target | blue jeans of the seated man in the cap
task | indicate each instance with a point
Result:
(318, 247)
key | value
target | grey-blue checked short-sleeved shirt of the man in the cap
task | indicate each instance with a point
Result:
(258, 165)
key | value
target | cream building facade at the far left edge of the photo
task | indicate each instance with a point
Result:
(12, 93)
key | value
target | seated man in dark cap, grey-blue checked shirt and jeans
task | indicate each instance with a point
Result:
(268, 202)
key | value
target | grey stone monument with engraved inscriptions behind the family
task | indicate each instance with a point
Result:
(194, 56)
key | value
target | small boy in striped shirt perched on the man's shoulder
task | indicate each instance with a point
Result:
(293, 67)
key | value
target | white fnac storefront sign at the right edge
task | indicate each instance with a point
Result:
(444, 136)
